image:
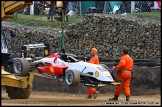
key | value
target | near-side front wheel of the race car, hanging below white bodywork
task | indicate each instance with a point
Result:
(72, 77)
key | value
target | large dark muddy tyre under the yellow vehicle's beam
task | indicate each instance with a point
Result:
(18, 93)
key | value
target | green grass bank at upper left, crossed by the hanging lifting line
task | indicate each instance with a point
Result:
(37, 21)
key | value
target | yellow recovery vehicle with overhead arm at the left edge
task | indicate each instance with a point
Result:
(17, 86)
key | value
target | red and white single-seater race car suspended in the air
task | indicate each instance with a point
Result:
(66, 67)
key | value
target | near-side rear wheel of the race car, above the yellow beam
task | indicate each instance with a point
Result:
(21, 66)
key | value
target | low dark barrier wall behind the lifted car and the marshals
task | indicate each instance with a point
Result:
(145, 80)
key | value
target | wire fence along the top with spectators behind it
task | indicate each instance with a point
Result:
(79, 8)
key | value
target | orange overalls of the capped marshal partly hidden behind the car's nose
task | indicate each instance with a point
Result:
(93, 60)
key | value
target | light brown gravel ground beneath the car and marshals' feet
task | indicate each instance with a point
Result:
(42, 98)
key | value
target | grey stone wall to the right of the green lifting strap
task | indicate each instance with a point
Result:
(110, 33)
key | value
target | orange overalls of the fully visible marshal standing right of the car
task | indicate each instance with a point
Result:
(124, 74)
